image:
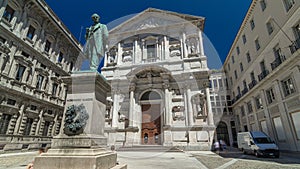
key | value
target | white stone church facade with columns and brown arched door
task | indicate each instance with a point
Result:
(159, 76)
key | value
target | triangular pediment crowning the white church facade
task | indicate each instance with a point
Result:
(153, 18)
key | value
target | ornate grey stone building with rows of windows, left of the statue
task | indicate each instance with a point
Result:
(36, 50)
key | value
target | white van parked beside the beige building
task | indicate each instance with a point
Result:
(258, 143)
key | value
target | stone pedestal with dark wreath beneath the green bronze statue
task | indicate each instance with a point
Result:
(81, 142)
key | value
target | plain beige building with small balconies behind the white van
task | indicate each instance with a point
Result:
(263, 71)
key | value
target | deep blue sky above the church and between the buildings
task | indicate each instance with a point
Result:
(223, 18)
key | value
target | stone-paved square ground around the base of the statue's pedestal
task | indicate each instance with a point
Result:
(232, 159)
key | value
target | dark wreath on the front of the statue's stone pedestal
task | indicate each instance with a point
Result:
(76, 119)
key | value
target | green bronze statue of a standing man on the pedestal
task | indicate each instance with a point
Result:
(96, 41)
